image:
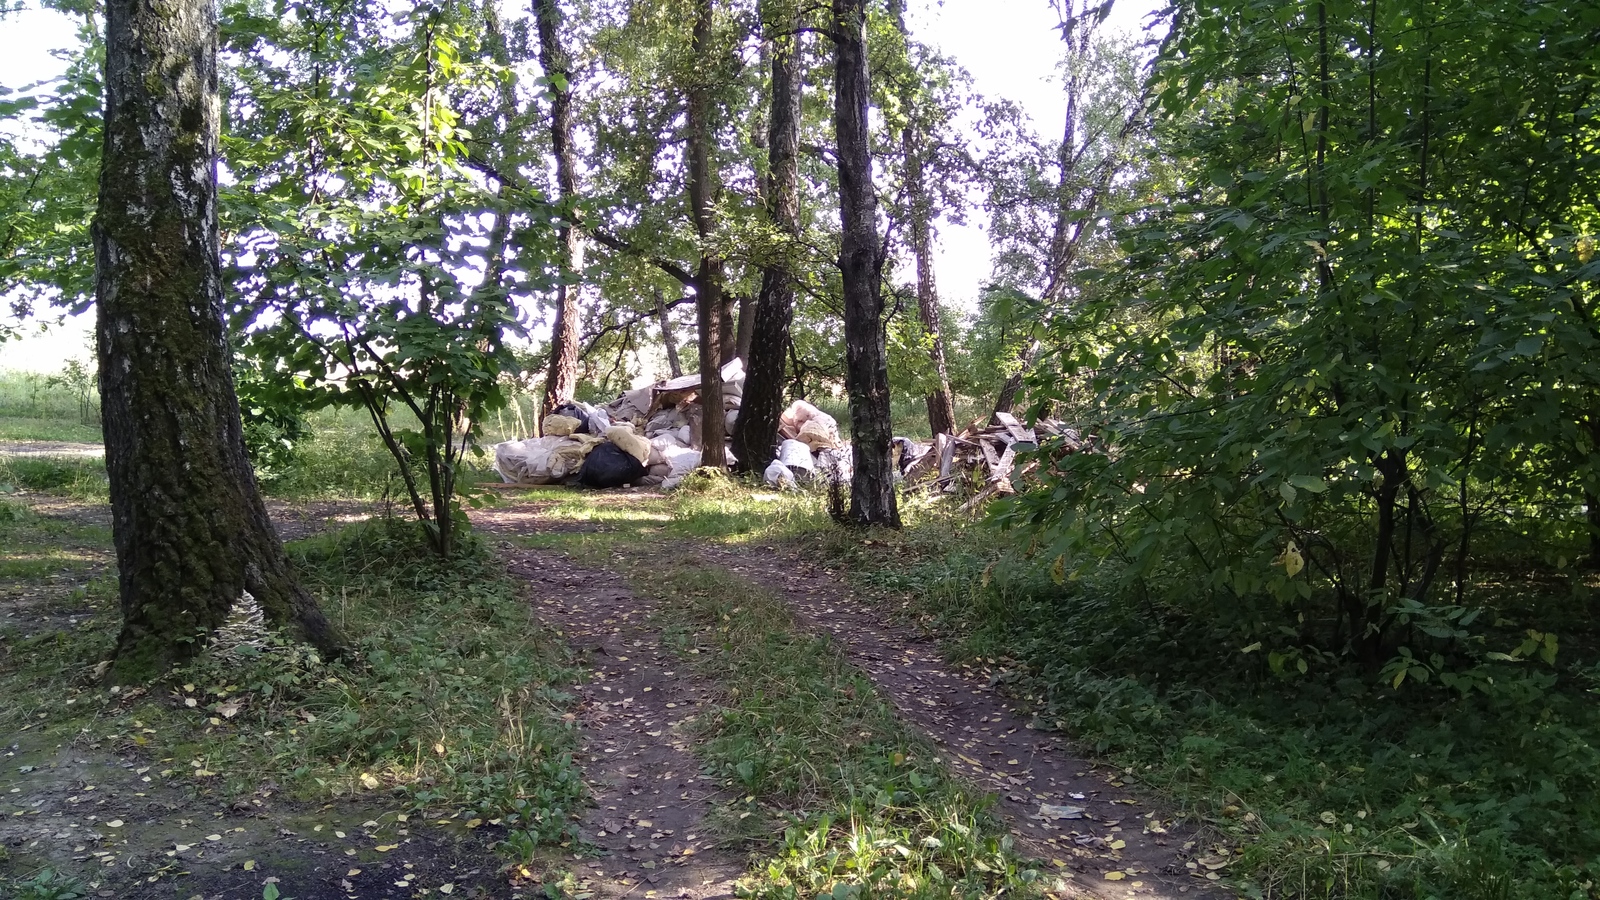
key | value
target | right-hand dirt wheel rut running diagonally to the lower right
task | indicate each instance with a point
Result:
(993, 747)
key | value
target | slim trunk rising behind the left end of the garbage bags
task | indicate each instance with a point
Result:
(562, 379)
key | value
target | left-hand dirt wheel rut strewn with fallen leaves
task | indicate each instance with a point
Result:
(650, 800)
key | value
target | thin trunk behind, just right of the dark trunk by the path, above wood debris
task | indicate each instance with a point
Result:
(914, 139)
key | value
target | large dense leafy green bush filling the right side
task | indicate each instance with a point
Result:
(1356, 345)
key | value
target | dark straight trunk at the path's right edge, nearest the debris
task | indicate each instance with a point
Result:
(866, 360)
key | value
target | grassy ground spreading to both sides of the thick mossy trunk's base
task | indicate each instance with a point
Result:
(454, 702)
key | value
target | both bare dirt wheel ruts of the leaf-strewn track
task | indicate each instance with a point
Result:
(1103, 829)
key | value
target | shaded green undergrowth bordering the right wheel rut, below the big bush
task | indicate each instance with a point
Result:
(1335, 784)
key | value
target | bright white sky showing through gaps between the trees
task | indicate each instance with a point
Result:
(1010, 47)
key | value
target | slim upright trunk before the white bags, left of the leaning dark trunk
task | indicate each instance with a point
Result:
(708, 279)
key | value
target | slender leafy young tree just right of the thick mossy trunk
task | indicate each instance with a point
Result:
(372, 265)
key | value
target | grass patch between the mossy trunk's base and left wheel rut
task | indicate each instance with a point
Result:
(454, 704)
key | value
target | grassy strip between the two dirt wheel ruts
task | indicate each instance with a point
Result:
(814, 753)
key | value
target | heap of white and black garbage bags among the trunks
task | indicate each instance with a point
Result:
(650, 438)
